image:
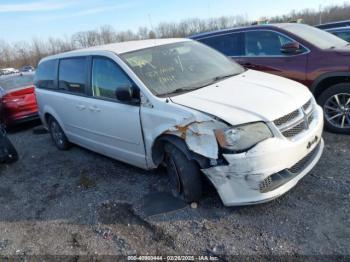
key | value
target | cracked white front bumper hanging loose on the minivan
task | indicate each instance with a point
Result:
(268, 170)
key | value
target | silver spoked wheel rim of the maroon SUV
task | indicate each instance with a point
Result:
(337, 110)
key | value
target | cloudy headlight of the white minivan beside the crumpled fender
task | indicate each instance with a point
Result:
(244, 137)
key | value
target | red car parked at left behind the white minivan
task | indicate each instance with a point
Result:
(18, 99)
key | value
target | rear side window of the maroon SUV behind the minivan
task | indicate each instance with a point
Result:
(229, 45)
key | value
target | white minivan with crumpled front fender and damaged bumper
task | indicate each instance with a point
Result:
(182, 104)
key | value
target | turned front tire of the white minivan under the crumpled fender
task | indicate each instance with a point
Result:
(184, 174)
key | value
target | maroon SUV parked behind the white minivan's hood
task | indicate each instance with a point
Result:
(300, 52)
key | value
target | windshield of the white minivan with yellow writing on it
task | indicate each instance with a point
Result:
(180, 67)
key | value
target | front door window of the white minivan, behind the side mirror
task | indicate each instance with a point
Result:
(107, 77)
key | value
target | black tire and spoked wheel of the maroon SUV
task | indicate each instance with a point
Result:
(335, 102)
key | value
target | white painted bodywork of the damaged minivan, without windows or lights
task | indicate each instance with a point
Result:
(128, 133)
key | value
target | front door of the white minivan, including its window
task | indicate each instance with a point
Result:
(114, 128)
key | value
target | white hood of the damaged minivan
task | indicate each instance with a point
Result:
(248, 97)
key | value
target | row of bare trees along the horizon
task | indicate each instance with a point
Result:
(29, 53)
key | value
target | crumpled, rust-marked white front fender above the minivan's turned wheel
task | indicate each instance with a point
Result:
(195, 128)
